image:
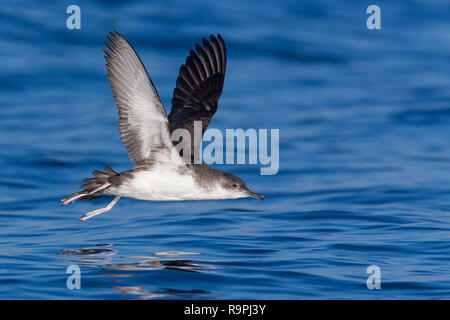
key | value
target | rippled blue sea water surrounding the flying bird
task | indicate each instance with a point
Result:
(364, 178)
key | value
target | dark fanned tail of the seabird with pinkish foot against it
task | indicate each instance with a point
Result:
(94, 188)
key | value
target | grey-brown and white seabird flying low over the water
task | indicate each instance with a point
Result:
(160, 172)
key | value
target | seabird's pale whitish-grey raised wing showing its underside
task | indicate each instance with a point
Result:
(143, 121)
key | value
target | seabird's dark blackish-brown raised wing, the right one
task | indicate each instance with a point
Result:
(198, 89)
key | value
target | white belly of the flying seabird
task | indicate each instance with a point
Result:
(161, 185)
